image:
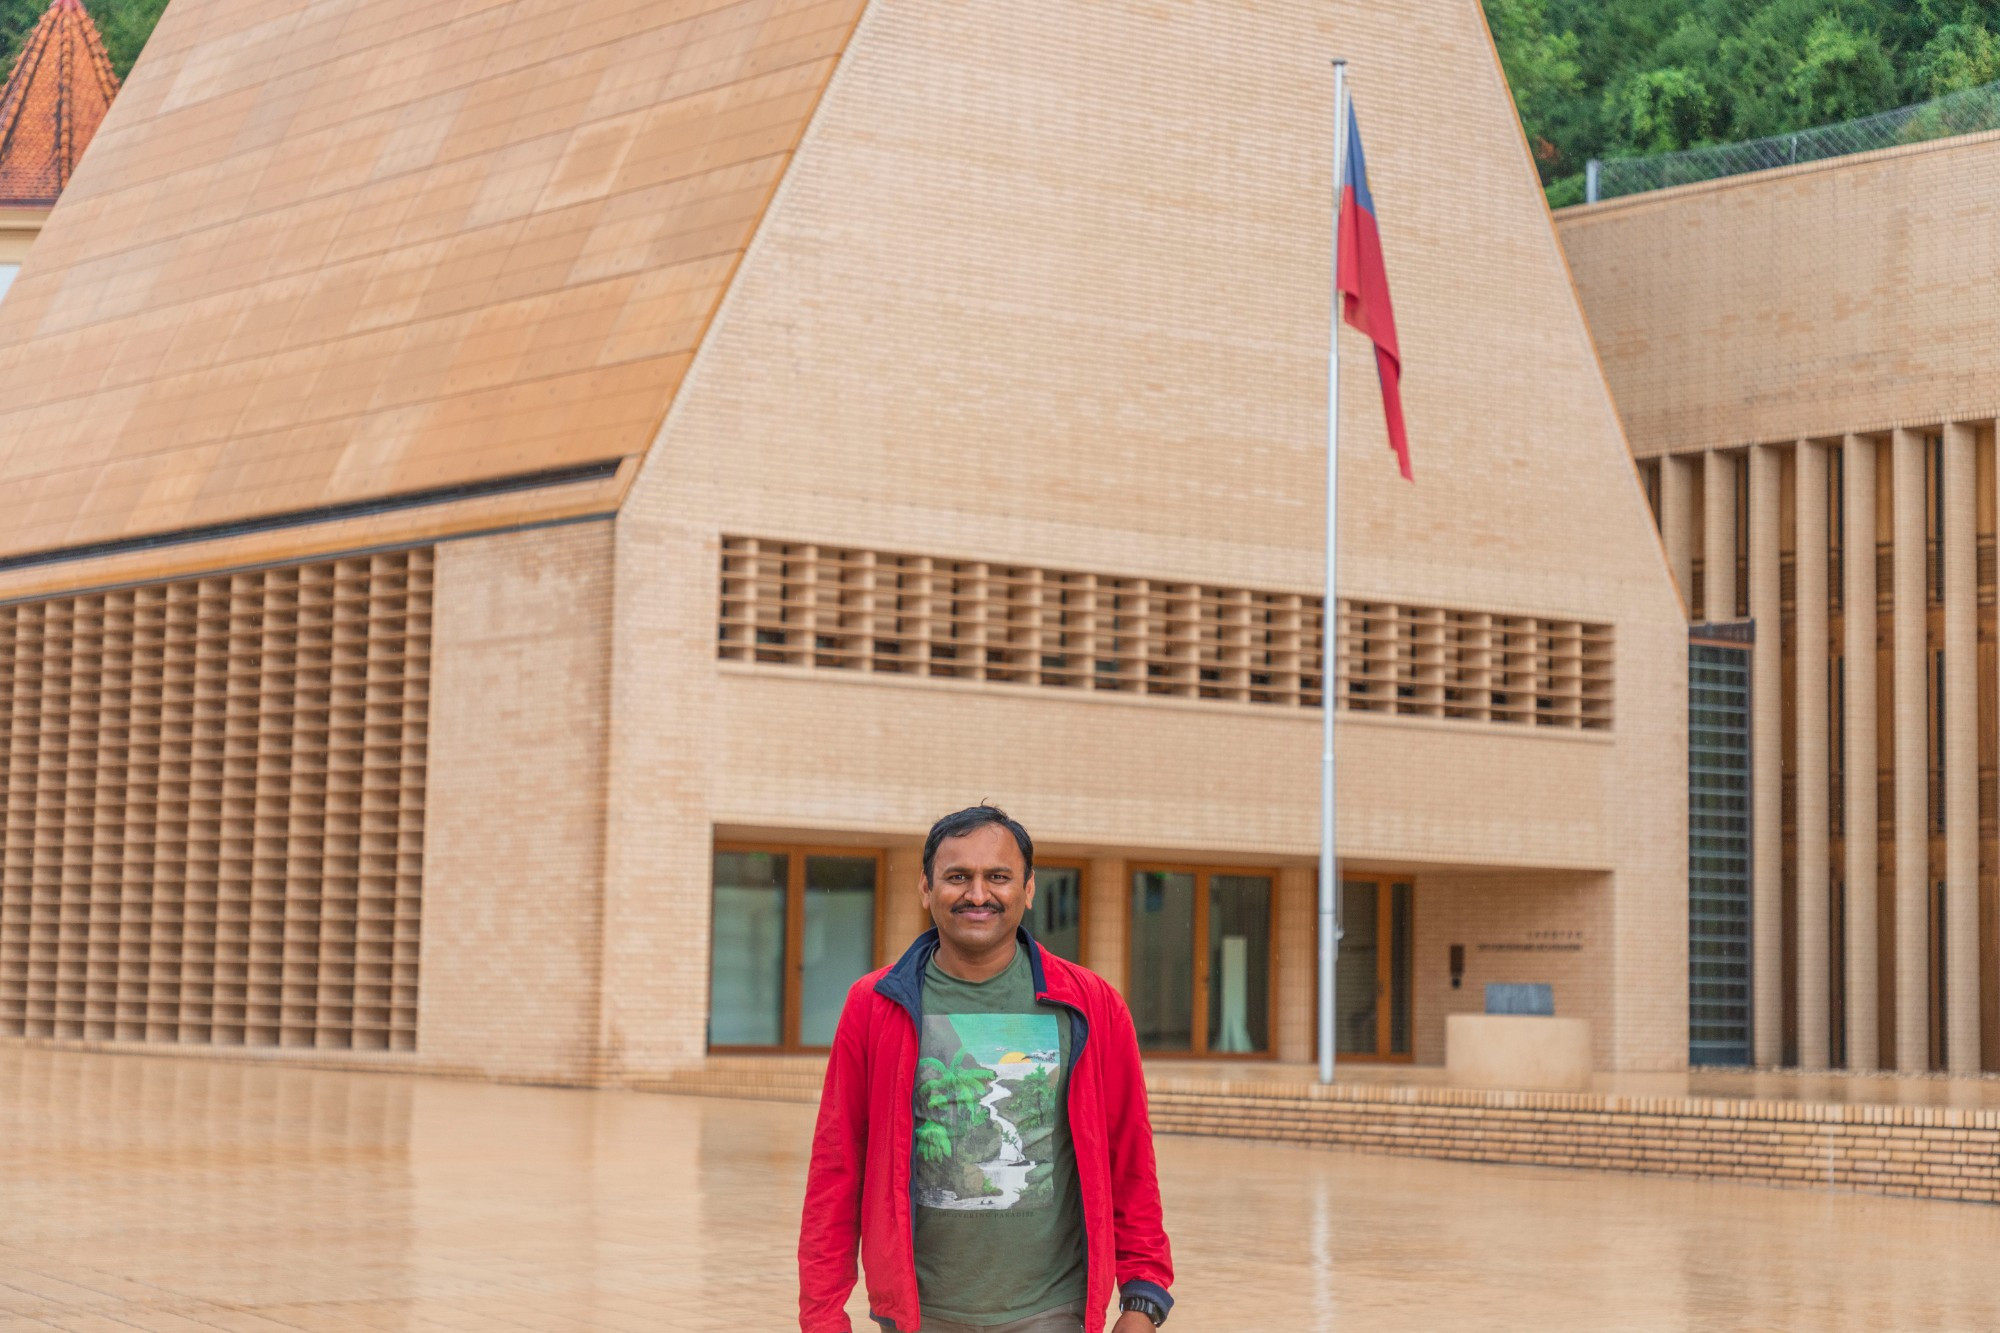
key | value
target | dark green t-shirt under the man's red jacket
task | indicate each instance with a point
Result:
(999, 1220)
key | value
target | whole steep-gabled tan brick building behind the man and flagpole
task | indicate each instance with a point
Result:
(517, 521)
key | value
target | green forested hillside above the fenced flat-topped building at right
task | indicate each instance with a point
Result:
(1605, 79)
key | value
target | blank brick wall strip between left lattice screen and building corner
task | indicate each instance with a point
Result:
(515, 854)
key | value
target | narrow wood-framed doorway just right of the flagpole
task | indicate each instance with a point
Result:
(1377, 970)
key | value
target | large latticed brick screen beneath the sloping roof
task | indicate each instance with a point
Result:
(215, 808)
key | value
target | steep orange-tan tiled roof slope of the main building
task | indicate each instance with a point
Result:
(369, 255)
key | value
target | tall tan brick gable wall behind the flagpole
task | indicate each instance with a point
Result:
(1097, 341)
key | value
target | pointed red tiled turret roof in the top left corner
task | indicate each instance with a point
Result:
(53, 103)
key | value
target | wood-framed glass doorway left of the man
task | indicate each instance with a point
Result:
(793, 930)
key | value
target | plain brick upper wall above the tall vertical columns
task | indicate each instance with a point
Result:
(1847, 295)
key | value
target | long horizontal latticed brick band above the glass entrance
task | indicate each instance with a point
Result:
(875, 611)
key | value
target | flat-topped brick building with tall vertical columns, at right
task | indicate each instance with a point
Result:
(1803, 365)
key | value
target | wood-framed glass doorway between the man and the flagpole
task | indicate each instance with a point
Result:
(1201, 978)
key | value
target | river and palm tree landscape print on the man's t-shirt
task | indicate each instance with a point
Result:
(989, 1094)
